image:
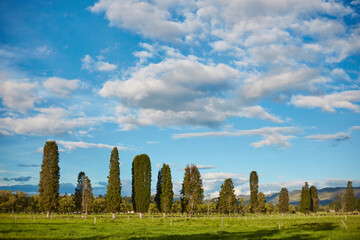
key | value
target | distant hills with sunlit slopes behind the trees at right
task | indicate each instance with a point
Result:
(326, 195)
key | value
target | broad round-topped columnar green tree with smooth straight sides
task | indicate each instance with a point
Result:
(141, 183)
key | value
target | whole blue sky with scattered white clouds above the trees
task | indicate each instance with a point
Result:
(230, 86)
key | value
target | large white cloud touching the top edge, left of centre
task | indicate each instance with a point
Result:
(148, 19)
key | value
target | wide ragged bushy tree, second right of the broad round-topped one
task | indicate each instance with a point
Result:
(191, 193)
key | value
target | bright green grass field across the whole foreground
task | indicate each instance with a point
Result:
(30, 226)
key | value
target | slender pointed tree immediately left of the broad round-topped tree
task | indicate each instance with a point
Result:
(113, 193)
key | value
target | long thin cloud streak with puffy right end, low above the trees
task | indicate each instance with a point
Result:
(271, 135)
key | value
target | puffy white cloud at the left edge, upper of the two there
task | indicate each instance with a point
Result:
(19, 96)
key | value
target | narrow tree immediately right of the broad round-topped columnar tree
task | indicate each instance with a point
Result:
(167, 193)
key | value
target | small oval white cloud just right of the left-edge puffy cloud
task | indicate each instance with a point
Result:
(61, 87)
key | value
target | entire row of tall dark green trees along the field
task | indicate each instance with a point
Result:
(191, 194)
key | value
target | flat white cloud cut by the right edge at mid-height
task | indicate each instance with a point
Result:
(329, 102)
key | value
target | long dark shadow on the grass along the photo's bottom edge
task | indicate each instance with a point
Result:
(261, 234)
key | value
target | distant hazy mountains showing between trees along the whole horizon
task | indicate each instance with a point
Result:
(326, 195)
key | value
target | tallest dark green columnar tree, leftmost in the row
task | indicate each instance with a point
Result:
(49, 178)
